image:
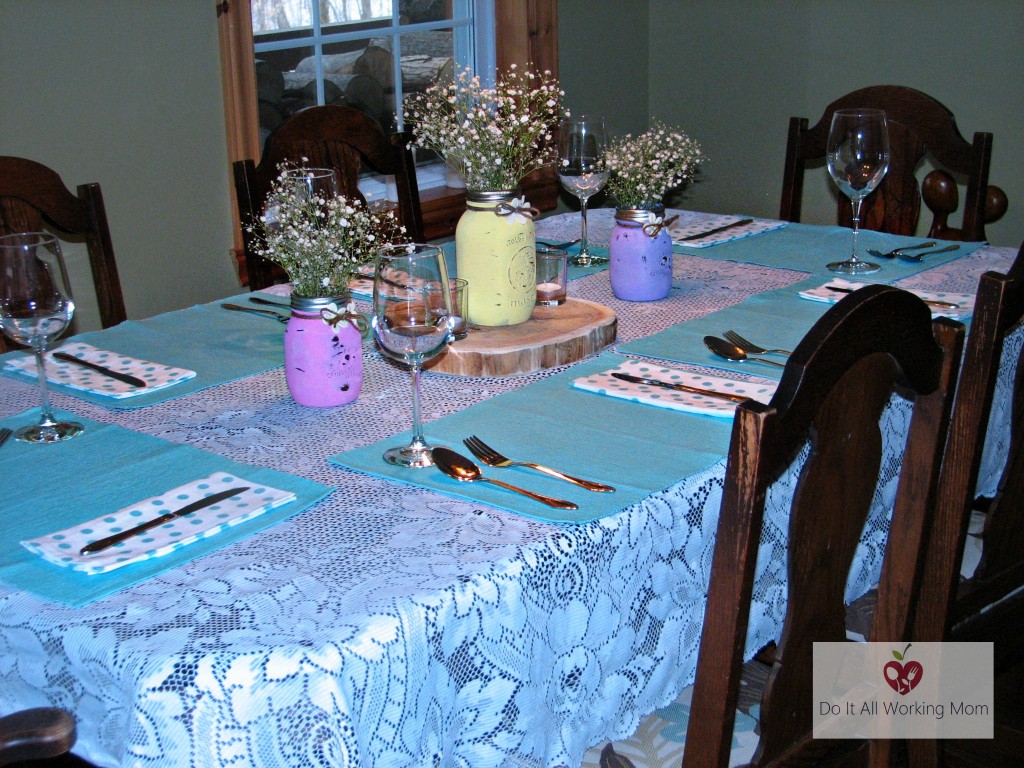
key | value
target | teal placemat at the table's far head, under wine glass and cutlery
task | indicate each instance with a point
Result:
(813, 248)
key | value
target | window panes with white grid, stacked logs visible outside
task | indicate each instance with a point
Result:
(364, 54)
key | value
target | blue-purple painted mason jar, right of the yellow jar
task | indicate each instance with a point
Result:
(639, 258)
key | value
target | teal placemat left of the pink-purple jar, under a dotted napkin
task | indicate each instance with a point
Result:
(220, 346)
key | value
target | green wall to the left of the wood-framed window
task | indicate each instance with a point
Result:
(129, 94)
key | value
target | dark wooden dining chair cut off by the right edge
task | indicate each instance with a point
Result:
(987, 606)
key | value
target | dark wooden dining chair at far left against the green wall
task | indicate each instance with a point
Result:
(33, 198)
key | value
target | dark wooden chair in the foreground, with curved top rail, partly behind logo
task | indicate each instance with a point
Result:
(832, 396)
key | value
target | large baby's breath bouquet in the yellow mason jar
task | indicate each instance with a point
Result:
(494, 137)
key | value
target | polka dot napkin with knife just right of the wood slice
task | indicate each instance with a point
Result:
(605, 383)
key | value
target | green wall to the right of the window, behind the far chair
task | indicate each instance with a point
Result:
(733, 72)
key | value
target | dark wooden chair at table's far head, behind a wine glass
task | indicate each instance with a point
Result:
(919, 126)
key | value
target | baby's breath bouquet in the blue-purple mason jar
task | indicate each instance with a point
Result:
(645, 168)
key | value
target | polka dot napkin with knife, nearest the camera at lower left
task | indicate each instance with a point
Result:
(63, 547)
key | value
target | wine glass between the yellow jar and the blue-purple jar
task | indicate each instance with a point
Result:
(582, 170)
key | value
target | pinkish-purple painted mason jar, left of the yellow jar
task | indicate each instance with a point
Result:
(323, 354)
